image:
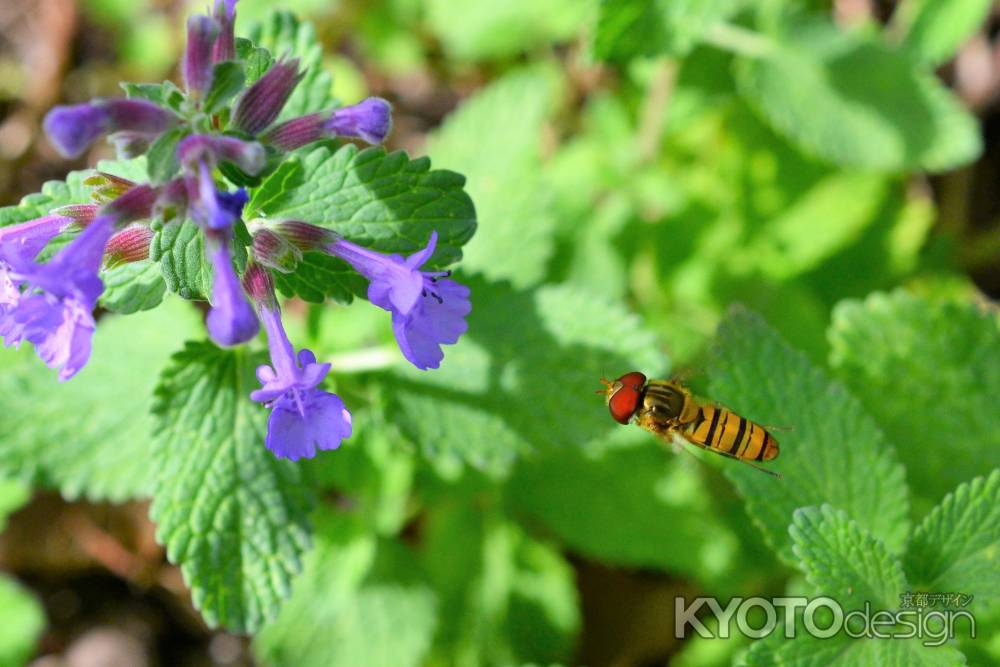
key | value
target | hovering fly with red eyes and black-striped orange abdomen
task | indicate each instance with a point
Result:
(666, 408)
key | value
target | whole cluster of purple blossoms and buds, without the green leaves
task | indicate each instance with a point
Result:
(50, 301)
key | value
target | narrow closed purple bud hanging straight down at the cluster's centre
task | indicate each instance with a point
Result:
(231, 320)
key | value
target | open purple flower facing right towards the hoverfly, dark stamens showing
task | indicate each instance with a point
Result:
(428, 310)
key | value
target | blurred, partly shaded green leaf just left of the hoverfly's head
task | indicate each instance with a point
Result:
(504, 390)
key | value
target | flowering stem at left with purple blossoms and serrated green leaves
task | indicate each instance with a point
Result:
(235, 188)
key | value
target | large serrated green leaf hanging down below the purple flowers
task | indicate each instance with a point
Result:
(231, 515)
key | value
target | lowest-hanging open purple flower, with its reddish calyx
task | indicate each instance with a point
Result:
(304, 418)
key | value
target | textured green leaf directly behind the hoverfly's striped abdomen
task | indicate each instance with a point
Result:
(832, 451)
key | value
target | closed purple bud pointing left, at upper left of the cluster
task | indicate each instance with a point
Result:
(72, 128)
